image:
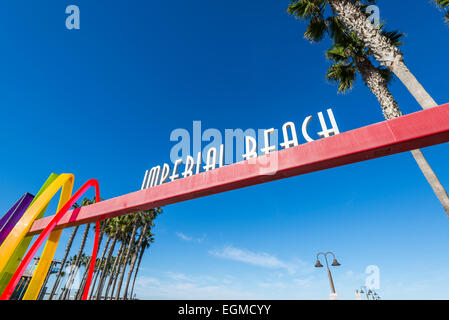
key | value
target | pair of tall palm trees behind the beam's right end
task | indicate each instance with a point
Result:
(360, 47)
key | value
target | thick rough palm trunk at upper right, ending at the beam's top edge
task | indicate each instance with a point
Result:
(386, 53)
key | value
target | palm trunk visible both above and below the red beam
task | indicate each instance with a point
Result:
(379, 87)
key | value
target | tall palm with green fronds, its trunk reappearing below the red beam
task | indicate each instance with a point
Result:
(351, 55)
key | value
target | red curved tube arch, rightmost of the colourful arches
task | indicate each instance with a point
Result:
(49, 228)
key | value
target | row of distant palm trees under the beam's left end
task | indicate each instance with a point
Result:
(127, 238)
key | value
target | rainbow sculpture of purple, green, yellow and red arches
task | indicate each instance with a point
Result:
(14, 241)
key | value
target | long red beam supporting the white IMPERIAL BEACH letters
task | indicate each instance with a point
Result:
(417, 130)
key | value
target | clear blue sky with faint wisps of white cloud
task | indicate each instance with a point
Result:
(101, 103)
